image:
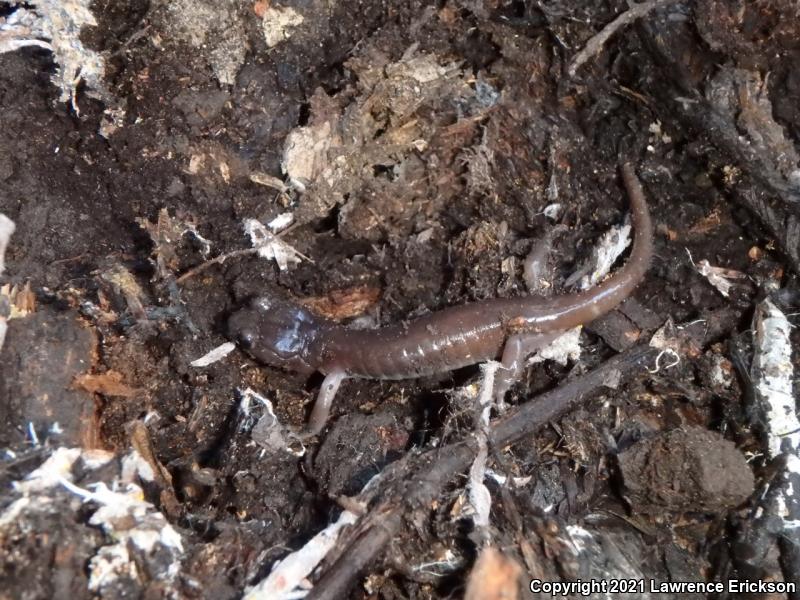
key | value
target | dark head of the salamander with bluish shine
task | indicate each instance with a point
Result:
(276, 333)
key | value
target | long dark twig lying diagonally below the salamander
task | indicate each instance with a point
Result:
(414, 485)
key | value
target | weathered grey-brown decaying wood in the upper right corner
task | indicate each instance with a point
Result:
(734, 112)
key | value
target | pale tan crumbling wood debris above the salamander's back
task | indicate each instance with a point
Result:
(348, 137)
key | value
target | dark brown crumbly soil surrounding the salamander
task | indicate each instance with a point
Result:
(436, 192)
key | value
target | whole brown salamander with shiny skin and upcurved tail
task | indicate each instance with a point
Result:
(282, 334)
